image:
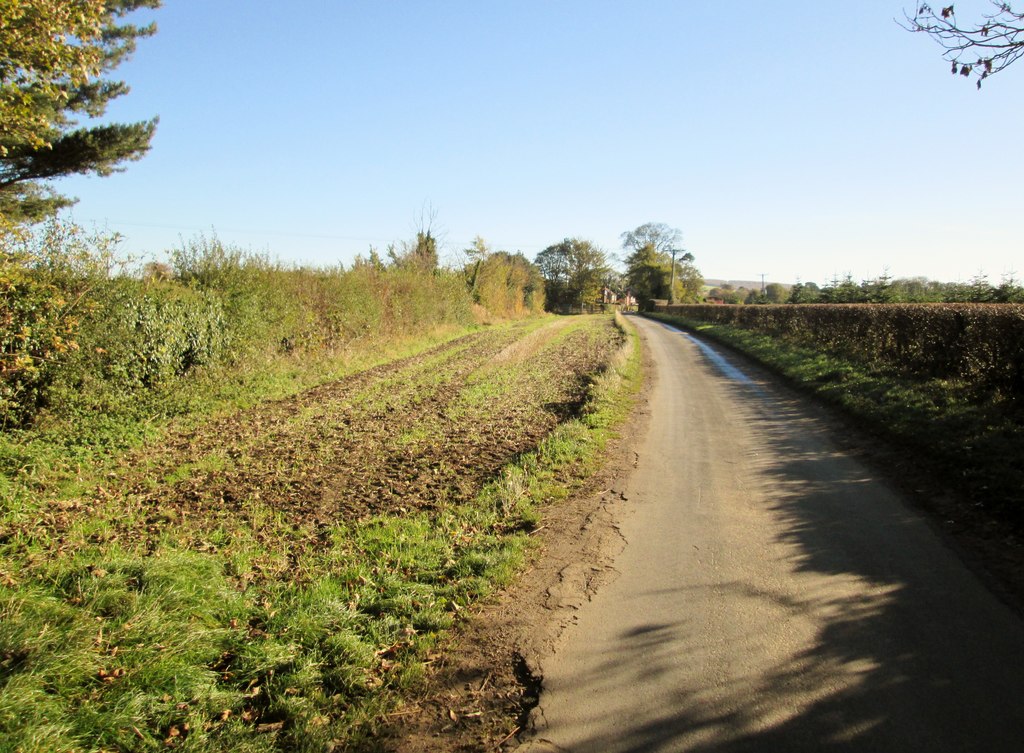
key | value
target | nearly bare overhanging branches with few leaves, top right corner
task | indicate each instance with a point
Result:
(983, 49)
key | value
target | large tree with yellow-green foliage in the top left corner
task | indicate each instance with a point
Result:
(54, 59)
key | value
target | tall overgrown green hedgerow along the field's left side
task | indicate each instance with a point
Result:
(81, 332)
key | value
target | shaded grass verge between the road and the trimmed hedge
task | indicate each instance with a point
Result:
(971, 440)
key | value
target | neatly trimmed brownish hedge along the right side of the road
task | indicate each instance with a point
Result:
(980, 344)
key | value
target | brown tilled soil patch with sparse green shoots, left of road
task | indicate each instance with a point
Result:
(411, 435)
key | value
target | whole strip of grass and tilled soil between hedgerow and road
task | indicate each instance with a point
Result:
(275, 577)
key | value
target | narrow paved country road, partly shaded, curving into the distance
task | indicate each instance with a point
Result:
(774, 596)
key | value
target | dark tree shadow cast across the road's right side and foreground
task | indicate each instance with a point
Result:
(910, 654)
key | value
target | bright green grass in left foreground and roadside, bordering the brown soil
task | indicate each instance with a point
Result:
(242, 638)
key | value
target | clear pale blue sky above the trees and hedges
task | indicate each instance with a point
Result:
(794, 139)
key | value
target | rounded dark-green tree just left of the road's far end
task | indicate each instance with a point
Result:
(574, 272)
